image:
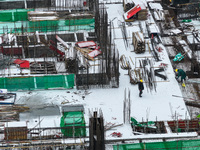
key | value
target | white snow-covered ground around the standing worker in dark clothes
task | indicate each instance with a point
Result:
(157, 105)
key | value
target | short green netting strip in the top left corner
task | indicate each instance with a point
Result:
(14, 15)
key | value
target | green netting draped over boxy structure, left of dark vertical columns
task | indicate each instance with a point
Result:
(73, 119)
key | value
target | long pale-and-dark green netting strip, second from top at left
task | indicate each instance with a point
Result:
(47, 25)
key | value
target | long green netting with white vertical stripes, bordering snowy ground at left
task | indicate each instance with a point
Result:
(37, 82)
